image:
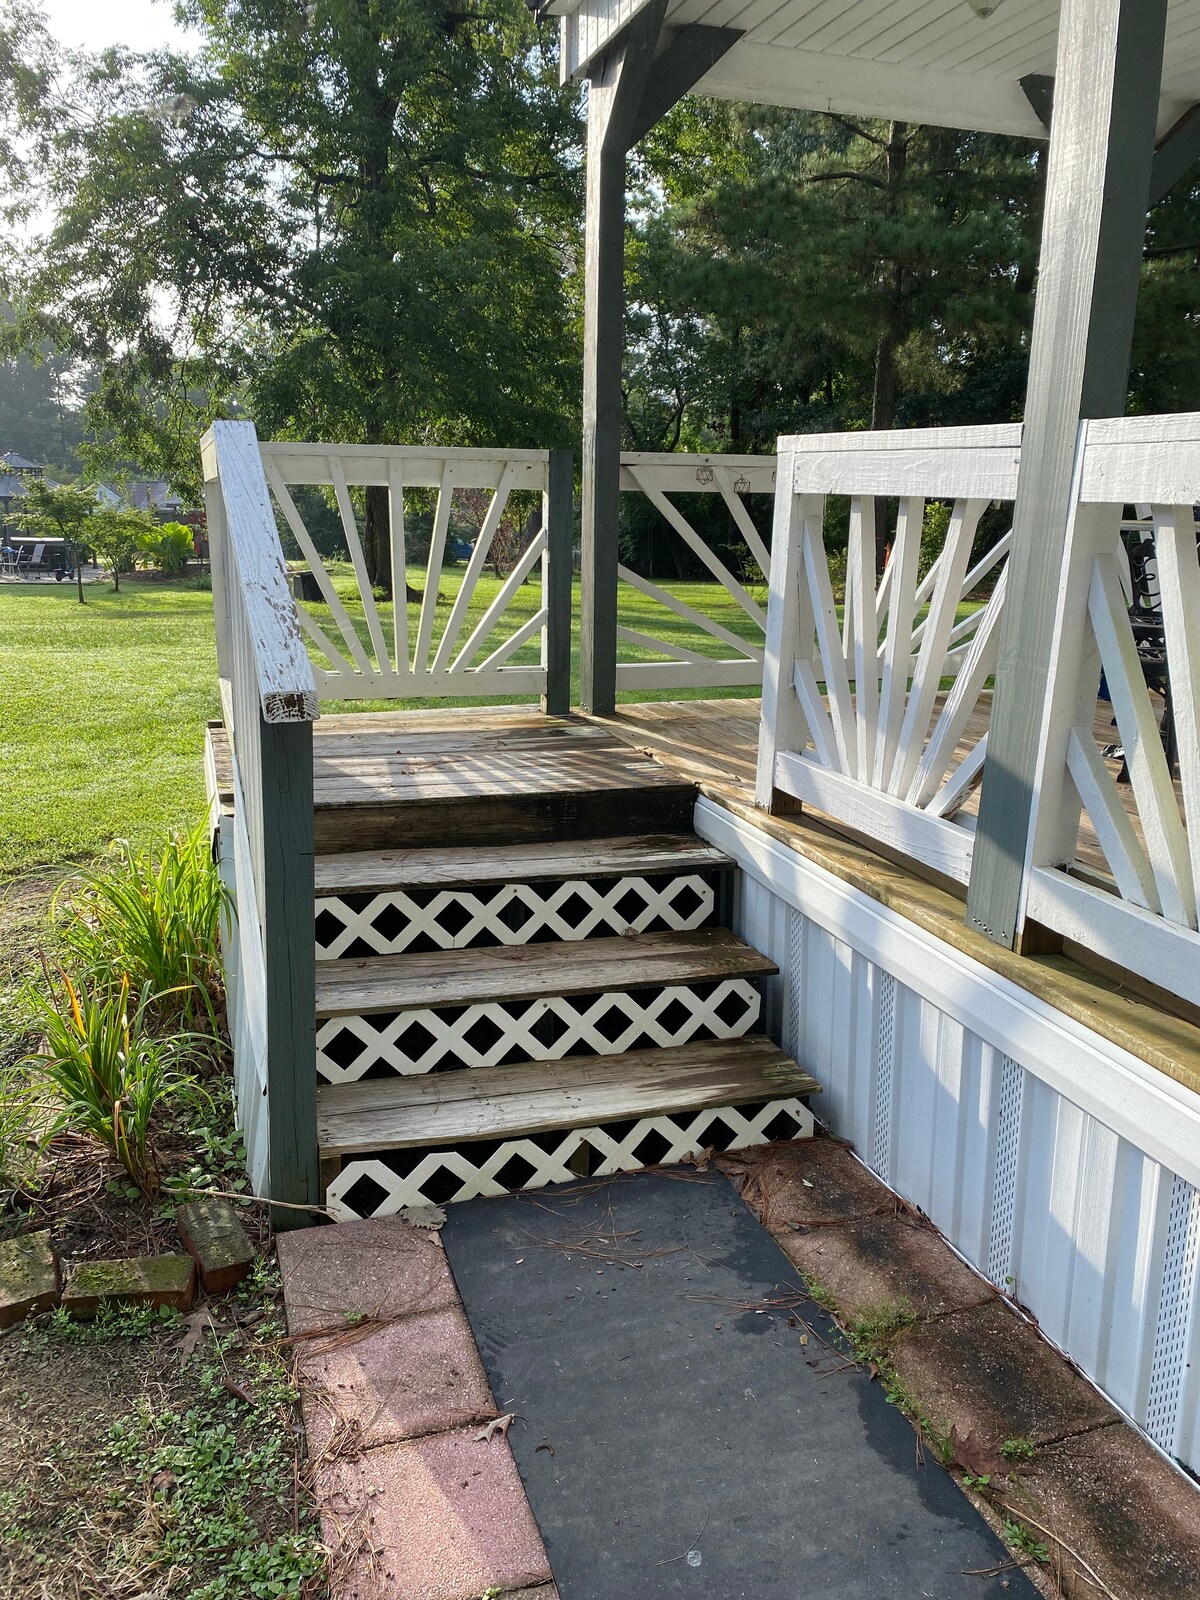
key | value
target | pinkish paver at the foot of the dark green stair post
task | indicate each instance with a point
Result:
(378, 1268)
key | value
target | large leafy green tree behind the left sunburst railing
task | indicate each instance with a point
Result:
(351, 222)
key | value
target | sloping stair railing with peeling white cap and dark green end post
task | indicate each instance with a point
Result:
(270, 703)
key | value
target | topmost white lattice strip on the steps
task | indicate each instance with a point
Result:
(508, 914)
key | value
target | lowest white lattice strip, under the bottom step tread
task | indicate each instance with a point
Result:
(378, 1186)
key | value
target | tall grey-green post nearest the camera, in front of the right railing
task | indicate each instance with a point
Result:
(1098, 188)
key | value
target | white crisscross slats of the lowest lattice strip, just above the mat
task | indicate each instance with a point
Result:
(686, 1134)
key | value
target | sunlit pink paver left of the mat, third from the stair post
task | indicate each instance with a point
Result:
(436, 1519)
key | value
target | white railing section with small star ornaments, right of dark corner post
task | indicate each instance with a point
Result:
(740, 658)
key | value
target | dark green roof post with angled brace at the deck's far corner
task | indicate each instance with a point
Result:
(630, 89)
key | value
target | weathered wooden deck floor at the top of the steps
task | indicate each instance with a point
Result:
(465, 777)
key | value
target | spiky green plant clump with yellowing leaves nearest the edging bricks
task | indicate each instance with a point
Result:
(106, 1068)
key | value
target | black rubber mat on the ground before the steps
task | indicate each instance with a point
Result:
(674, 1444)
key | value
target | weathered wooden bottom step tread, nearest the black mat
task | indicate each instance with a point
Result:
(538, 1097)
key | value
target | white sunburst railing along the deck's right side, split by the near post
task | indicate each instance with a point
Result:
(876, 718)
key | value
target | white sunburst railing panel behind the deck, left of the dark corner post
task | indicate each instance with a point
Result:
(450, 641)
